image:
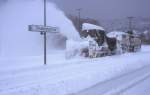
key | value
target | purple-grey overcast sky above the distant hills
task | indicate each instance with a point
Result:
(106, 9)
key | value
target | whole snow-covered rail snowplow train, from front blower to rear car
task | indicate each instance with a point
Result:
(97, 43)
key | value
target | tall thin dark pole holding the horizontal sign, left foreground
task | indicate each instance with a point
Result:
(45, 46)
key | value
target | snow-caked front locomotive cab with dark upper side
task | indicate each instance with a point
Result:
(97, 46)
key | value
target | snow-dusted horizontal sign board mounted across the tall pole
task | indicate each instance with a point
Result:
(42, 28)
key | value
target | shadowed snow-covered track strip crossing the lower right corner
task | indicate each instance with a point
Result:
(118, 85)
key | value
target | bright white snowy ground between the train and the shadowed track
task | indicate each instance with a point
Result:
(61, 77)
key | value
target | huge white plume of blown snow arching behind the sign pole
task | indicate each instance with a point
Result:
(16, 15)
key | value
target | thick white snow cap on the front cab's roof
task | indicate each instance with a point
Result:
(88, 26)
